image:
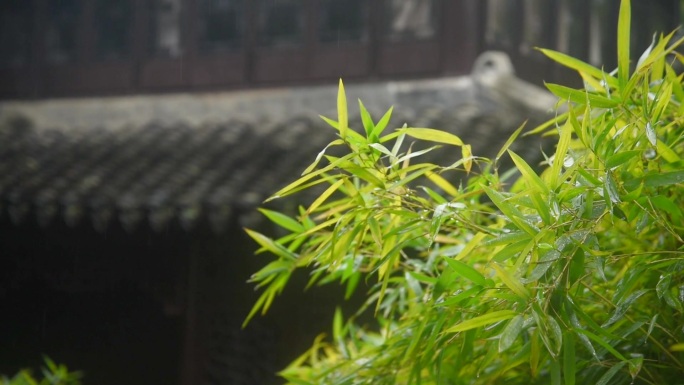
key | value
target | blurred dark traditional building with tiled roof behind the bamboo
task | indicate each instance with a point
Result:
(138, 136)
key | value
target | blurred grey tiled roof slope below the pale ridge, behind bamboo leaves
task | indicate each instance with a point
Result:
(172, 171)
